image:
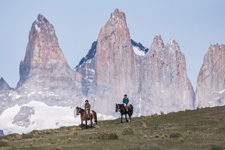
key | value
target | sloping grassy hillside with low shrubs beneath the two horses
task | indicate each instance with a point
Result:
(202, 129)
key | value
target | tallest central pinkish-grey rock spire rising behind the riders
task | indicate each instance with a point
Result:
(109, 75)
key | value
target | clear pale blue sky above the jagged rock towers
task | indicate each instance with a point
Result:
(194, 24)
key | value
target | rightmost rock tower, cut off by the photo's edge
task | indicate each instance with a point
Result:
(210, 89)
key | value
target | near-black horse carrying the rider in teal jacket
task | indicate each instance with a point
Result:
(123, 111)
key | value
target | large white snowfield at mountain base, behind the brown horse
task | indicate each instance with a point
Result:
(44, 117)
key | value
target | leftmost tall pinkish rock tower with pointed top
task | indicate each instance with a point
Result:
(44, 73)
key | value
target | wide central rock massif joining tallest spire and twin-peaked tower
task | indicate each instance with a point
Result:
(155, 79)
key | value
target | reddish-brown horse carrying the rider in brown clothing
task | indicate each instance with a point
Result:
(84, 117)
